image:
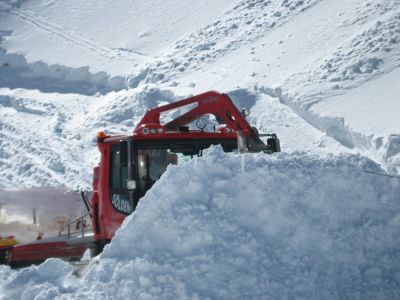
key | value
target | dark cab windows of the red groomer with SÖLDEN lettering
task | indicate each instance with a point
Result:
(146, 161)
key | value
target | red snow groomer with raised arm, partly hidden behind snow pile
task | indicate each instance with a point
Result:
(131, 163)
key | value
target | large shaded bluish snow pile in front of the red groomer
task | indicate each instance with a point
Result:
(251, 226)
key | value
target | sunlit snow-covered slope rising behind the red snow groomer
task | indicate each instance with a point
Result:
(321, 74)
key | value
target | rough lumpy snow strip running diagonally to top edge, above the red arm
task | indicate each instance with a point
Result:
(247, 22)
